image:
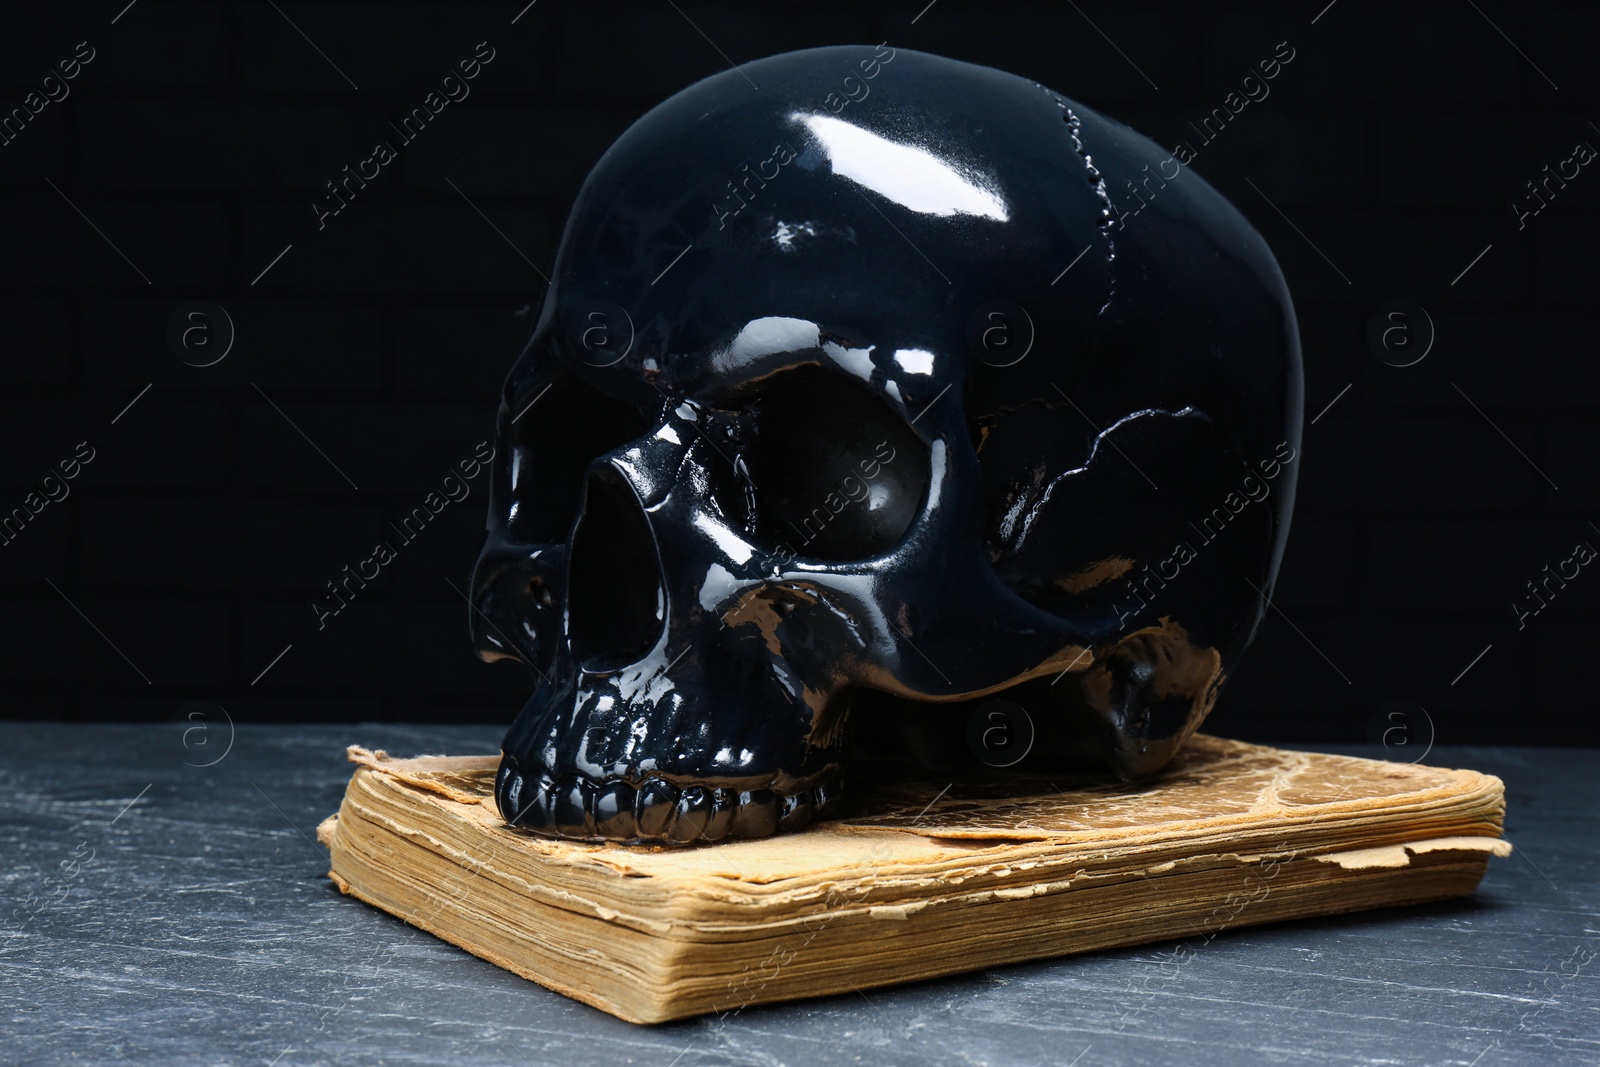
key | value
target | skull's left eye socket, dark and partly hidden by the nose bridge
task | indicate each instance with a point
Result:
(554, 441)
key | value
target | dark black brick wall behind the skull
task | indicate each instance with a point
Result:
(185, 561)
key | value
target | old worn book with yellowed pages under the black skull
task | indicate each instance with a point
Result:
(914, 881)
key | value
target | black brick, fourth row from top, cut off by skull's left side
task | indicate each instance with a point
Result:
(460, 351)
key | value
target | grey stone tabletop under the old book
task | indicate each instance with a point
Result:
(162, 911)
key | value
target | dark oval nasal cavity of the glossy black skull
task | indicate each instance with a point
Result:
(615, 604)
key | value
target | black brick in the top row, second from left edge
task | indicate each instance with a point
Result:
(401, 50)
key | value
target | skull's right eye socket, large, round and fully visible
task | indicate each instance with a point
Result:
(838, 473)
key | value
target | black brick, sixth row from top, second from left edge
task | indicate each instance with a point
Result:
(241, 546)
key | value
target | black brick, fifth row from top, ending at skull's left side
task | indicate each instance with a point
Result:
(399, 450)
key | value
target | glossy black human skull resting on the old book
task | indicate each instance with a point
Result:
(764, 457)
